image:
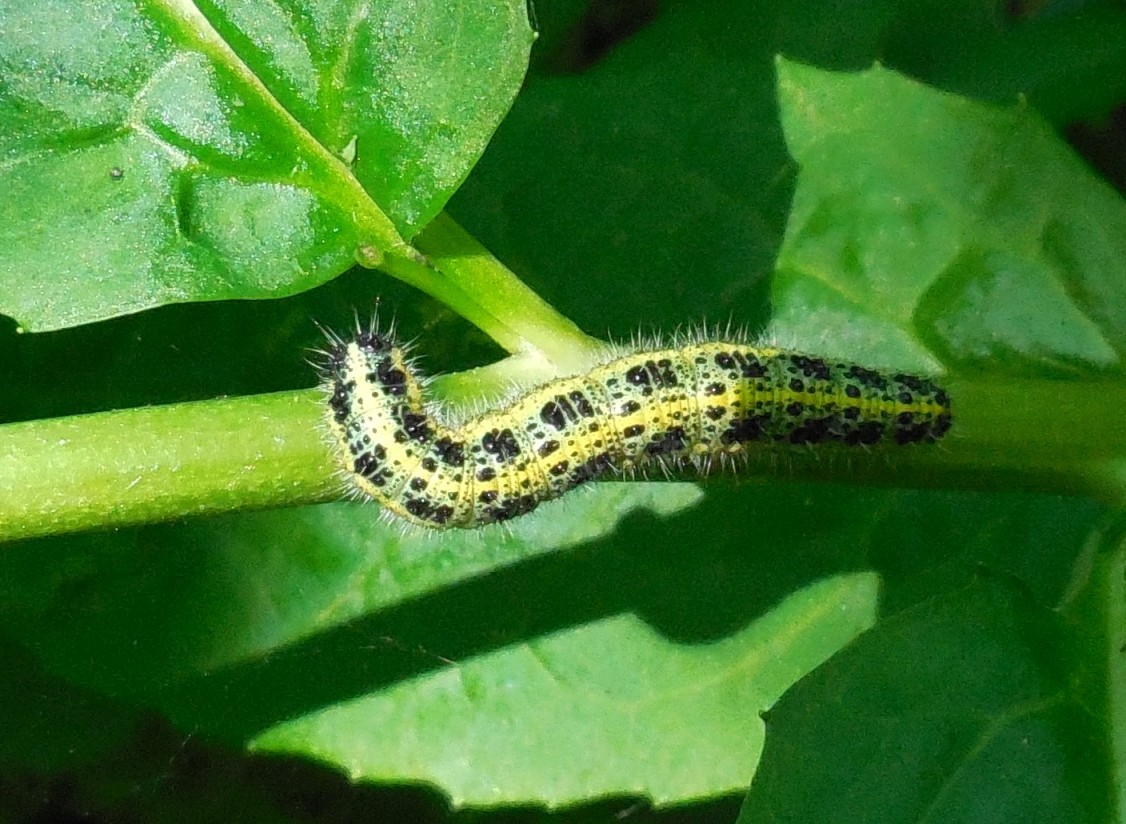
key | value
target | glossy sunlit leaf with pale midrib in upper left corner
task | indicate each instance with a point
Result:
(157, 154)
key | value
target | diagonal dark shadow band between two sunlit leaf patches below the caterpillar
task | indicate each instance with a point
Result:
(693, 584)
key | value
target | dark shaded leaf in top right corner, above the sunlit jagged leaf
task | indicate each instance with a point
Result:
(1064, 58)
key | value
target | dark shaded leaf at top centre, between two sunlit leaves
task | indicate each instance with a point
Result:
(662, 198)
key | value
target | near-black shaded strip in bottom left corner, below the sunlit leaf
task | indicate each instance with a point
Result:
(70, 755)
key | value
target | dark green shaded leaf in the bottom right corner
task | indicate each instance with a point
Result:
(958, 710)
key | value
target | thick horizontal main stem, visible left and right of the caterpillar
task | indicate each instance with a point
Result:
(162, 463)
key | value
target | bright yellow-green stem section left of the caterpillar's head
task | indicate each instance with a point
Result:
(160, 463)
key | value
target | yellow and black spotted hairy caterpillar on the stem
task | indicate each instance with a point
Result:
(673, 408)
